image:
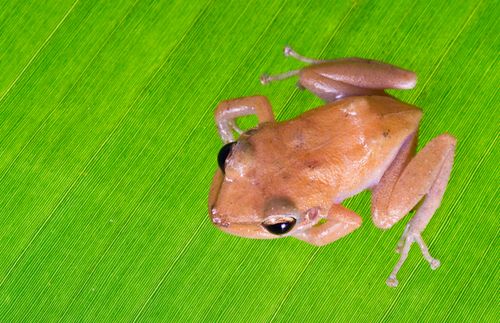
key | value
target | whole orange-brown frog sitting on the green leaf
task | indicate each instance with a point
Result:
(289, 178)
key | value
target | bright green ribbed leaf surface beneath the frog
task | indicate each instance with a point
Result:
(108, 147)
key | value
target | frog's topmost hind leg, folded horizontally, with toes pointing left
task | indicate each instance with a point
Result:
(335, 79)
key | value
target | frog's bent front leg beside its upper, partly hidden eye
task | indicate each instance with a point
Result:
(228, 111)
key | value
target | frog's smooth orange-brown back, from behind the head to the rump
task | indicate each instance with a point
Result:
(338, 149)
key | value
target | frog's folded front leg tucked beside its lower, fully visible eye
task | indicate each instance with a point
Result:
(339, 222)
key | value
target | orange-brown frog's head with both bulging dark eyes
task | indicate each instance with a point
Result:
(243, 200)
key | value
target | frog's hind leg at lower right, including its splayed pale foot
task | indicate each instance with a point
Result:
(408, 181)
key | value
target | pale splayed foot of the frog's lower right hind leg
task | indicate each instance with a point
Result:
(407, 239)
